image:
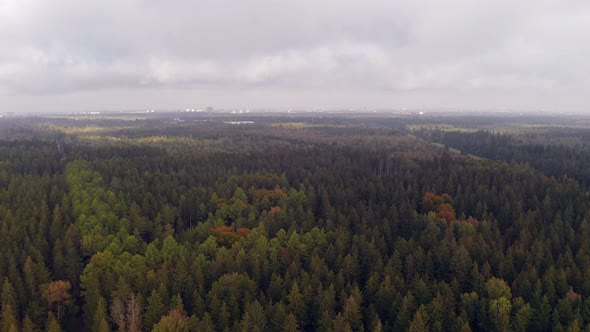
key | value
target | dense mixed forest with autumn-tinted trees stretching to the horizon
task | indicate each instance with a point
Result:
(309, 223)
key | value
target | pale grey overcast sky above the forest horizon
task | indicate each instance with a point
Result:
(456, 54)
